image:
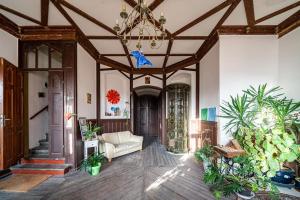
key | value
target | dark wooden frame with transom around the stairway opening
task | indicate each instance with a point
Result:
(72, 148)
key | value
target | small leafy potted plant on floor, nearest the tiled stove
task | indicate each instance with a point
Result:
(205, 155)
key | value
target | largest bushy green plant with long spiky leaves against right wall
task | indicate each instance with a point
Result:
(262, 121)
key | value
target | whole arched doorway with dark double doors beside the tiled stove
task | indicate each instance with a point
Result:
(147, 112)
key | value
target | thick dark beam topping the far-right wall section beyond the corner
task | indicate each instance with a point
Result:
(288, 25)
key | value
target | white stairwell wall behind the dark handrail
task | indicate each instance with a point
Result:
(38, 127)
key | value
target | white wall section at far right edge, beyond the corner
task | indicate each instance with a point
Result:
(289, 64)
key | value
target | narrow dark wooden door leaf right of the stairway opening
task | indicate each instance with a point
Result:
(56, 113)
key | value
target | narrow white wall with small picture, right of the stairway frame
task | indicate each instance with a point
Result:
(86, 83)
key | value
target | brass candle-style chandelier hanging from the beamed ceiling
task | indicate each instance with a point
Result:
(140, 25)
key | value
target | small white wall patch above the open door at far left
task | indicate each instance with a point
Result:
(9, 47)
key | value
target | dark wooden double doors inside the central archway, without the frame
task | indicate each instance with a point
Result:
(146, 112)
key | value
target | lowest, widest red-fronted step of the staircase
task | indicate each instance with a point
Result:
(51, 169)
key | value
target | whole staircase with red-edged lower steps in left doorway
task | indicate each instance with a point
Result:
(40, 163)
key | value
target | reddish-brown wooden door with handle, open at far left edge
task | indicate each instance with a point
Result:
(11, 114)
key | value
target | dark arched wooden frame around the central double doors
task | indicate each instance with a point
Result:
(133, 98)
